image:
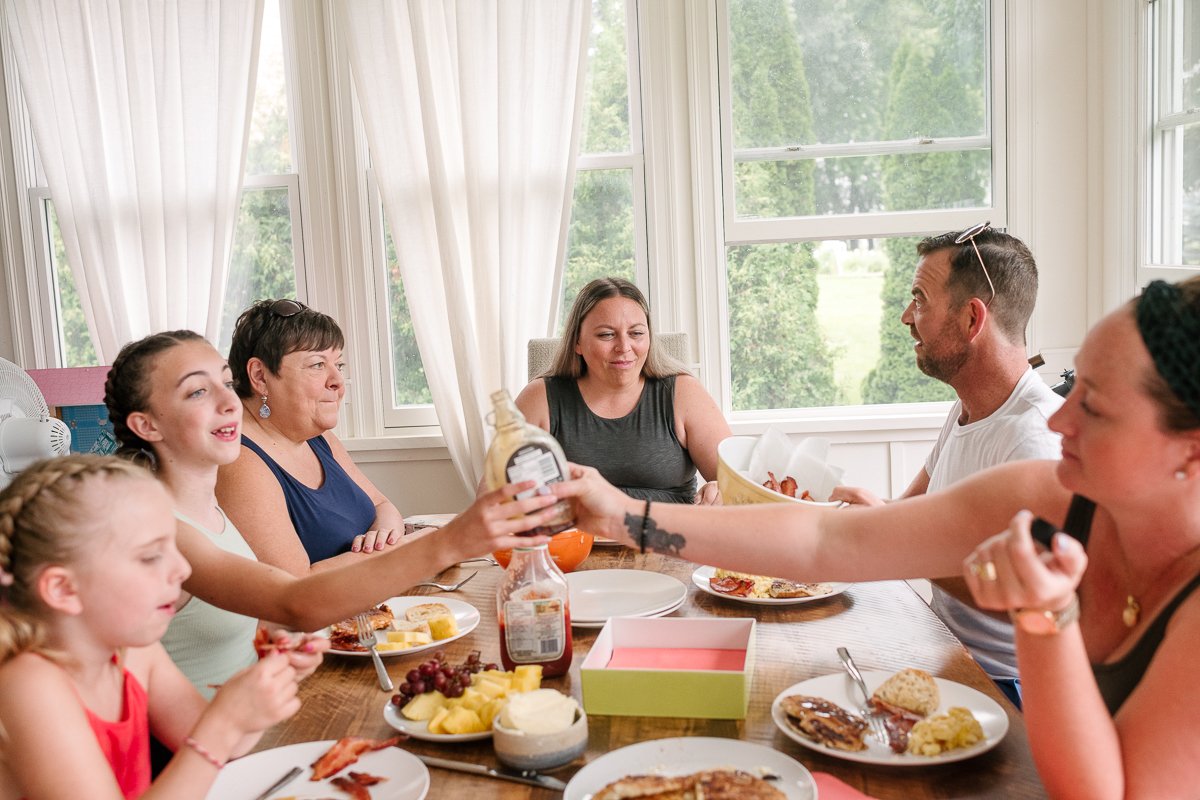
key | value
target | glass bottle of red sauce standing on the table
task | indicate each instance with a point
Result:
(533, 609)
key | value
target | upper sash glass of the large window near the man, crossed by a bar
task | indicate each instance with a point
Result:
(813, 73)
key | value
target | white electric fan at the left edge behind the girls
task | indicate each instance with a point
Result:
(28, 432)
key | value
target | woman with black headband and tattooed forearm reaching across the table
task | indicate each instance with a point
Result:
(1107, 615)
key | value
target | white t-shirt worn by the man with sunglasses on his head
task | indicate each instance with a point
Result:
(1016, 431)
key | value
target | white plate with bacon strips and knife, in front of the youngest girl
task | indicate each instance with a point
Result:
(247, 778)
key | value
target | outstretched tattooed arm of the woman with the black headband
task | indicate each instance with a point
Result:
(923, 537)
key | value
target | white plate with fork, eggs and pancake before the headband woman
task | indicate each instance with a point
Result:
(839, 689)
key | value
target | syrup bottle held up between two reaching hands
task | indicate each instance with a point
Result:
(525, 453)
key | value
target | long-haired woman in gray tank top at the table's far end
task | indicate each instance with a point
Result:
(617, 402)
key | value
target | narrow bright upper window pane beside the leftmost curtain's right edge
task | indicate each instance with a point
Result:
(271, 147)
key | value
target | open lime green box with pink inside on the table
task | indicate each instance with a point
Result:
(670, 667)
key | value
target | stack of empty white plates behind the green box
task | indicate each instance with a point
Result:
(601, 594)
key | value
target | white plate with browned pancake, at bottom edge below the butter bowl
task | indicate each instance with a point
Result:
(692, 755)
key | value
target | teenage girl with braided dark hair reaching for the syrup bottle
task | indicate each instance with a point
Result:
(171, 396)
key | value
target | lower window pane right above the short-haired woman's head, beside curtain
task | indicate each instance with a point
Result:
(263, 263)
